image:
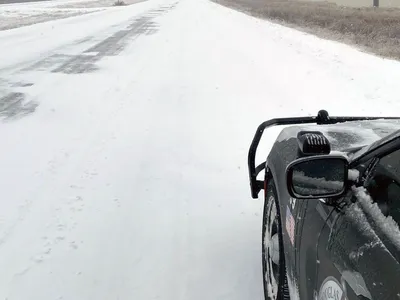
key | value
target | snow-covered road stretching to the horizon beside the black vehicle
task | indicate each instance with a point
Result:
(124, 139)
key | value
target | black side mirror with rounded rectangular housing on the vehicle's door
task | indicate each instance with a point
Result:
(321, 176)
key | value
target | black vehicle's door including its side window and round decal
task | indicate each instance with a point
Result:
(359, 246)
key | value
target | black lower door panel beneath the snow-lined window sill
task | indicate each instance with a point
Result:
(351, 250)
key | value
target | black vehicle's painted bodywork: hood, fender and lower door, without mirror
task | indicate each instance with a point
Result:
(335, 249)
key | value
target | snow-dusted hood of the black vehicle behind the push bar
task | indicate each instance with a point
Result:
(348, 135)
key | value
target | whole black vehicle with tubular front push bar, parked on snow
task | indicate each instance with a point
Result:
(332, 208)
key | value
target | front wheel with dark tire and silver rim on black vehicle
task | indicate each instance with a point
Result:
(273, 257)
